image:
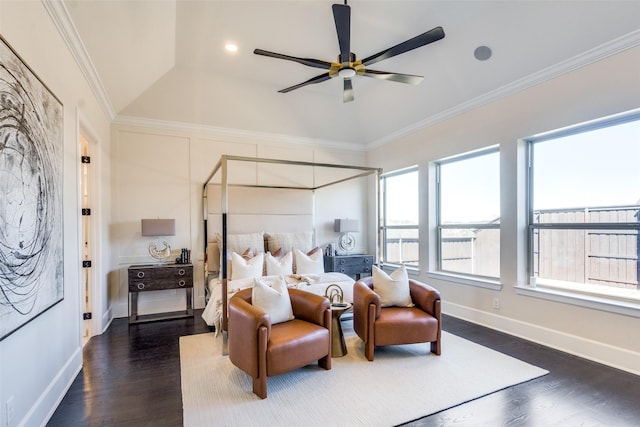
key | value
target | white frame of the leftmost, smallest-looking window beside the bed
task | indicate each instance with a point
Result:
(384, 227)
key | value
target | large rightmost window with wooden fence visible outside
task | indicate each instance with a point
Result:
(584, 219)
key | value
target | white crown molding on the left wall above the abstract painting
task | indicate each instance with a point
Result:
(60, 16)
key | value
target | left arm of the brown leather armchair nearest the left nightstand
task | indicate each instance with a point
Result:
(245, 322)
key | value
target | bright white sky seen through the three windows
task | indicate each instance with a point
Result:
(593, 169)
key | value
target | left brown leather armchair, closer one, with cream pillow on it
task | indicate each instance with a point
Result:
(263, 350)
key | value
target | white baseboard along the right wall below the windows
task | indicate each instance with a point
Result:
(606, 354)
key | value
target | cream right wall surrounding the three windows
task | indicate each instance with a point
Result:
(603, 88)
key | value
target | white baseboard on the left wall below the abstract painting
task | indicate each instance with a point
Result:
(44, 407)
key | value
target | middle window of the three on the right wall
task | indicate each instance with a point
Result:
(468, 209)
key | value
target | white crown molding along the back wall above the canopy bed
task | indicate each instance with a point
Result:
(230, 134)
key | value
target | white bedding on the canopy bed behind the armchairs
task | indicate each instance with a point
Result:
(314, 283)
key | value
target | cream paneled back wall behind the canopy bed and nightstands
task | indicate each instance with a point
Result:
(159, 171)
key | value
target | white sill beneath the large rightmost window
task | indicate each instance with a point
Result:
(582, 298)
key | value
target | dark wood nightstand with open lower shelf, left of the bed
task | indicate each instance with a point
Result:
(159, 277)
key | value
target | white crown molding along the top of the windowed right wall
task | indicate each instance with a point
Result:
(591, 56)
